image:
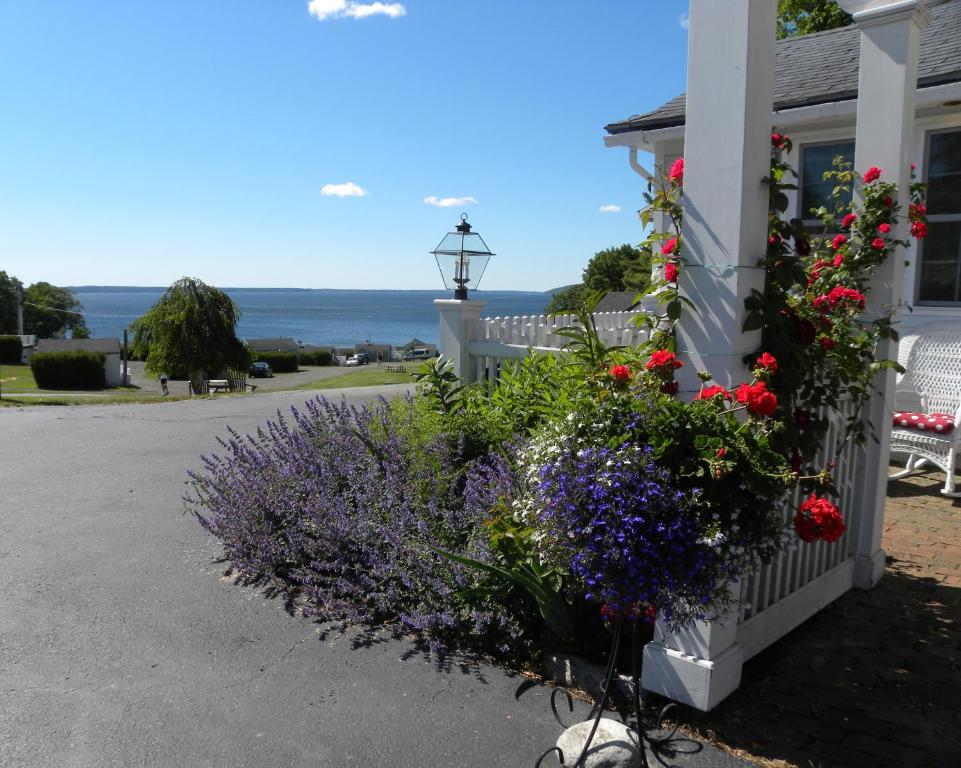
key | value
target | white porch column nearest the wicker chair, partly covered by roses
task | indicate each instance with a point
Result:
(887, 85)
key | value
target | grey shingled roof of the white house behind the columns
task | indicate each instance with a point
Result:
(823, 67)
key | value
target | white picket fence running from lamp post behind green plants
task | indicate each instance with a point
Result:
(512, 338)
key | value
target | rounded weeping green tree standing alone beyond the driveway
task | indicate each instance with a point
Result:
(190, 331)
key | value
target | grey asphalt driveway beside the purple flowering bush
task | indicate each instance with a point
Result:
(121, 645)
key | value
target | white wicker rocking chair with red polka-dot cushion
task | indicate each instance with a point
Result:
(931, 383)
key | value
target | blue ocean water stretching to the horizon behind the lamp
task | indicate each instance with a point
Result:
(322, 316)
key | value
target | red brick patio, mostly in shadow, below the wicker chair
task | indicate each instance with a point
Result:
(875, 679)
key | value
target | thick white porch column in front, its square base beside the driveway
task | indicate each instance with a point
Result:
(727, 153)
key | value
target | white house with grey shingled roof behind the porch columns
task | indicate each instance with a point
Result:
(815, 103)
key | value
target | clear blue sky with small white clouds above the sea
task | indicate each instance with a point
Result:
(144, 141)
